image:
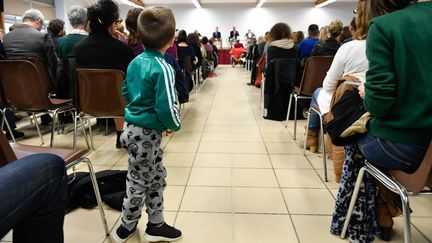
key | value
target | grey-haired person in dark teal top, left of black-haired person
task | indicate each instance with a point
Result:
(77, 16)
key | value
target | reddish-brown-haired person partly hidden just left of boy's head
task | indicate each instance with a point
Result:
(131, 25)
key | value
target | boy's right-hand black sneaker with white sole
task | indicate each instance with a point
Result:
(161, 232)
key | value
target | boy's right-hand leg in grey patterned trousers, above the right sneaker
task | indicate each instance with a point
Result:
(154, 200)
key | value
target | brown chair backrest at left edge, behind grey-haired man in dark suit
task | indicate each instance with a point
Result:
(25, 84)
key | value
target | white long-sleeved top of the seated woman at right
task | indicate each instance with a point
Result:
(349, 59)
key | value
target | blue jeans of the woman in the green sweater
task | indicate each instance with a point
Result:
(389, 155)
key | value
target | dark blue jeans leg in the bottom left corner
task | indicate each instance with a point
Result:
(33, 196)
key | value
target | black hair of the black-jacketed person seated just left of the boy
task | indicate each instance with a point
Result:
(102, 14)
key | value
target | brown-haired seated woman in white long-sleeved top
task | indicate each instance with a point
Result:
(349, 59)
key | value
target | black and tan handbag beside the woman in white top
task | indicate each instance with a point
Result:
(347, 117)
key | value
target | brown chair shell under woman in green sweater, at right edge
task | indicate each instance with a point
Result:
(416, 181)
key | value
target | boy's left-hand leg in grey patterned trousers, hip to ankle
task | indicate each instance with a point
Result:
(143, 148)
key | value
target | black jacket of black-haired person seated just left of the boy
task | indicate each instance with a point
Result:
(101, 50)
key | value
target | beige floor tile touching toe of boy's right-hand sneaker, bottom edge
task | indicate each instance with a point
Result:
(205, 227)
